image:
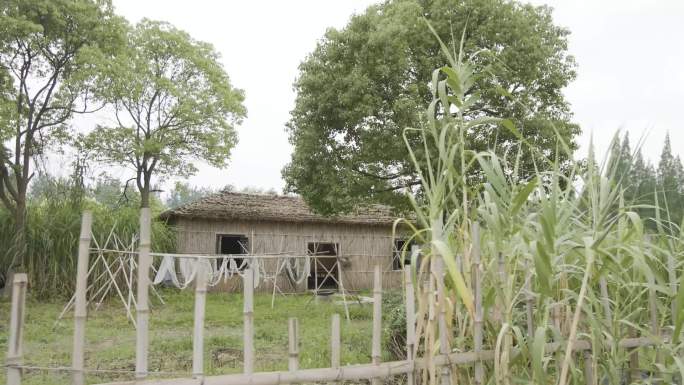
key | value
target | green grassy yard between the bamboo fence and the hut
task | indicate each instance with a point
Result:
(111, 338)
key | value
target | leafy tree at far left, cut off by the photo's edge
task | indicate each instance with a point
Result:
(47, 49)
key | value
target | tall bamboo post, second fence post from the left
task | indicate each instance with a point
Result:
(80, 308)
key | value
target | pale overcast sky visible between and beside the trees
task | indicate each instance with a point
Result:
(630, 75)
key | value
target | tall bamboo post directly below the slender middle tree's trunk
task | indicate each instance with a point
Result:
(142, 307)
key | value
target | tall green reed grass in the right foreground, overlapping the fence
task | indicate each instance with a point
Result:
(563, 256)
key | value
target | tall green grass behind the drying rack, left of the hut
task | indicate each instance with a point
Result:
(54, 219)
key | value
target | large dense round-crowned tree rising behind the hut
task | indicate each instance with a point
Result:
(362, 85)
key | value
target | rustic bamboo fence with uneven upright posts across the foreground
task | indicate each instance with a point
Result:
(375, 371)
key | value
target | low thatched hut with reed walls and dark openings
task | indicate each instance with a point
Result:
(343, 249)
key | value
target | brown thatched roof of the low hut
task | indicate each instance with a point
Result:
(229, 205)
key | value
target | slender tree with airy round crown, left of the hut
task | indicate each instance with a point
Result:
(173, 104)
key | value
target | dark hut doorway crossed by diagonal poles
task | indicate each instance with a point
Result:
(325, 266)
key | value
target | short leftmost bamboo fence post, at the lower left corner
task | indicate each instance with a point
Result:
(14, 342)
